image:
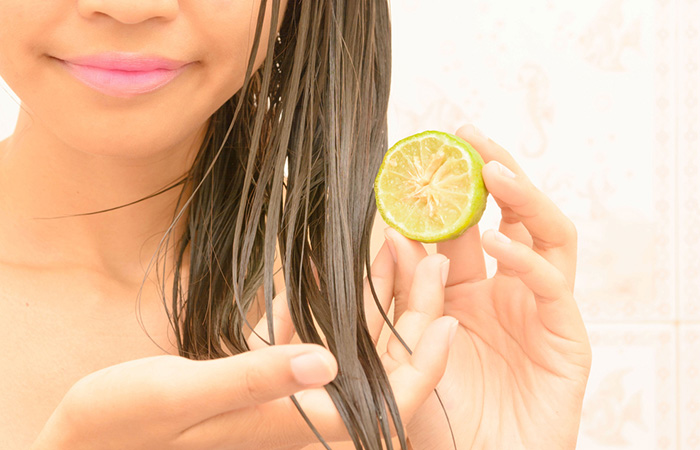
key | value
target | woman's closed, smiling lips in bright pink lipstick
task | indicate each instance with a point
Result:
(124, 74)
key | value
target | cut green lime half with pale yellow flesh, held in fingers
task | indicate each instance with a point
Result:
(429, 187)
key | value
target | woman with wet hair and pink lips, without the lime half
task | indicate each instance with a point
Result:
(148, 163)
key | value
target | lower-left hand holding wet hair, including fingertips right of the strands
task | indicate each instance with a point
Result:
(239, 402)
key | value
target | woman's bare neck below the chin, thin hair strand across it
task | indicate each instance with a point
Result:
(47, 188)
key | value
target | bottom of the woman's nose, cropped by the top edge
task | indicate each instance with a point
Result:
(130, 11)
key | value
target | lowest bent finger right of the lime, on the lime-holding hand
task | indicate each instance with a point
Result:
(556, 306)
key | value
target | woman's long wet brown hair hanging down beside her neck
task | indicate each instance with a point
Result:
(317, 105)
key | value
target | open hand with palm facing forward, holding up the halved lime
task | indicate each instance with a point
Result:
(520, 361)
